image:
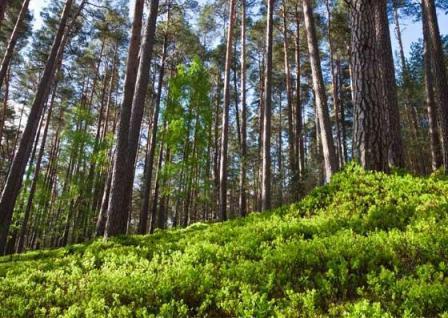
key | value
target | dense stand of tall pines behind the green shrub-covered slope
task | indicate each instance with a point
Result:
(121, 117)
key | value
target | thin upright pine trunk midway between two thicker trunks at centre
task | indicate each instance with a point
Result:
(243, 164)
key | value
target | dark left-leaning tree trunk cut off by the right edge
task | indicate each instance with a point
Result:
(438, 72)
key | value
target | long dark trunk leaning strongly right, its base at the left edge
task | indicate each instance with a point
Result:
(14, 180)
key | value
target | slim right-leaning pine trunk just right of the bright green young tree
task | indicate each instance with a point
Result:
(225, 117)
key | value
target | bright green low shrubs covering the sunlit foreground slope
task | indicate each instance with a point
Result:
(367, 244)
